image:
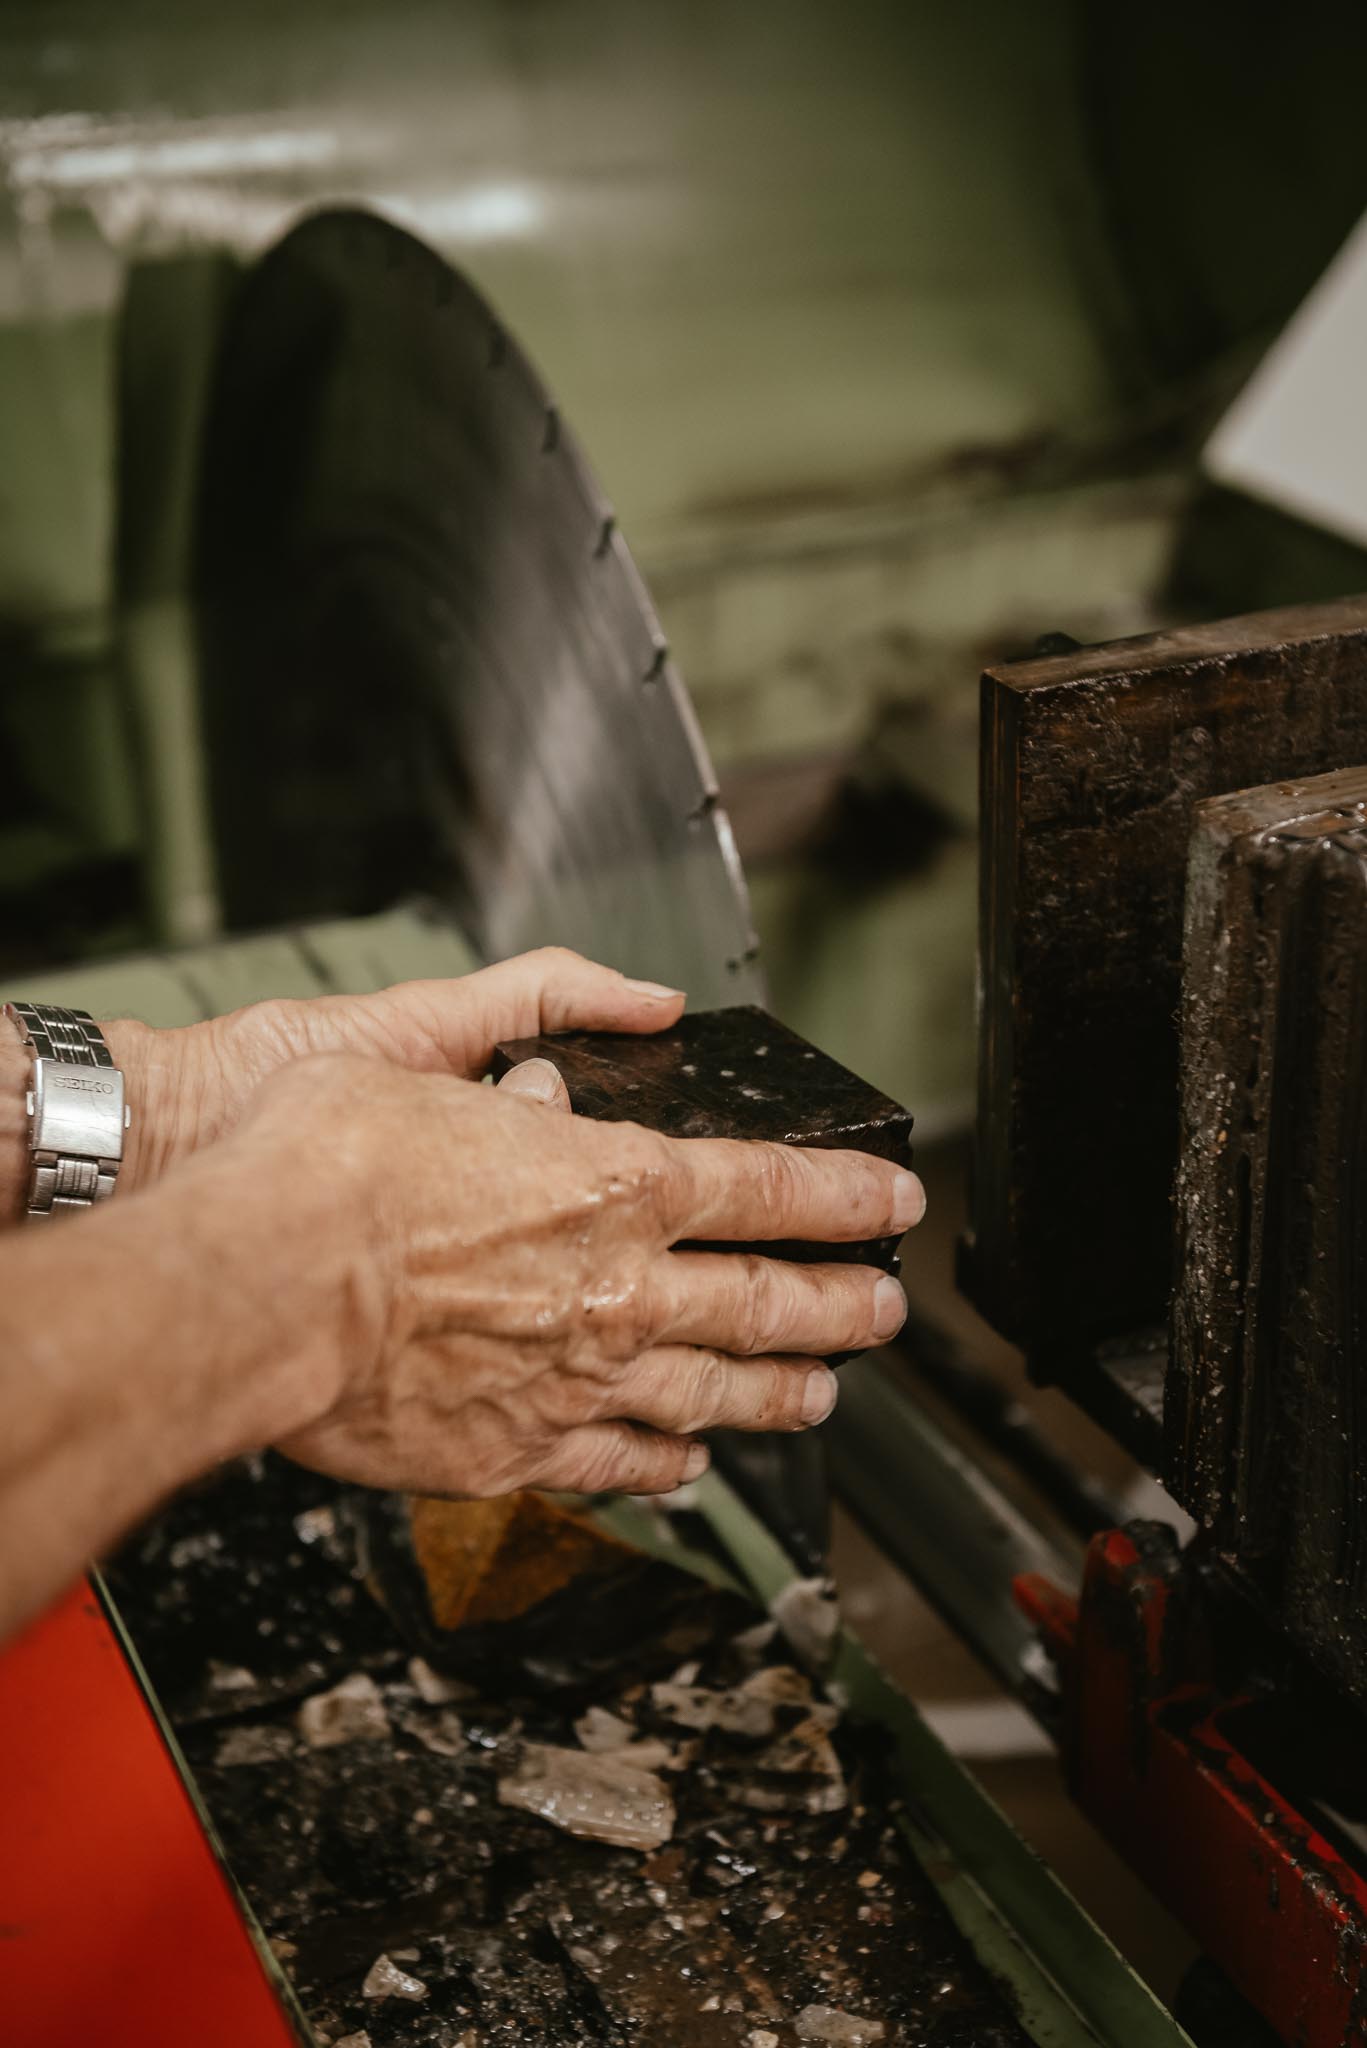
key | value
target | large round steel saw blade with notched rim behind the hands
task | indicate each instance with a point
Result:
(427, 658)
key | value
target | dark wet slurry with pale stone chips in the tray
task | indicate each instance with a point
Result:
(413, 1904)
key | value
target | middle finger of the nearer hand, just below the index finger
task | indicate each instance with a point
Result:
(735, 1302)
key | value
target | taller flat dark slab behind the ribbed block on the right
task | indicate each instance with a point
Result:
(1091, 771)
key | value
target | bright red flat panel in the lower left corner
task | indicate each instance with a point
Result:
(118, 1924)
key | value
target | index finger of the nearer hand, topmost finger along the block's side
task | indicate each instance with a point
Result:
(749, 1191)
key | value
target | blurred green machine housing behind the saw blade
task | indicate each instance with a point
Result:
(895, 341)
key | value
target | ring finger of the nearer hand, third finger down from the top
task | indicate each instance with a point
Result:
(683, 1390)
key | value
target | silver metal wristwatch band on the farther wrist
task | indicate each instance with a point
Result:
(77, 1111)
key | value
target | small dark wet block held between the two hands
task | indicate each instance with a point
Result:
(731, 1074)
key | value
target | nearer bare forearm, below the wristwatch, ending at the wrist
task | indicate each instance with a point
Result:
(151, 1340)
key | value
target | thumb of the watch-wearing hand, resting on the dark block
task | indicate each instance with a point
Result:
(538, 992)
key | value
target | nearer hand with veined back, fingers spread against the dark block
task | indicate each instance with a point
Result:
(511, 1310)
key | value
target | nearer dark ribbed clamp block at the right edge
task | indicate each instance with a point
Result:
(1268, 1385)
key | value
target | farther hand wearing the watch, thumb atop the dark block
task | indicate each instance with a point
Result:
(190, 1086)
